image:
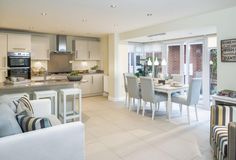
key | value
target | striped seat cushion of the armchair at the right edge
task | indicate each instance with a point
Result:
(220, 138)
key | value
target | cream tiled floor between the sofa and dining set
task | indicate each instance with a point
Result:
(114, 133)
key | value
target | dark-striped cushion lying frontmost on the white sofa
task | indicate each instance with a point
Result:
(28, 123)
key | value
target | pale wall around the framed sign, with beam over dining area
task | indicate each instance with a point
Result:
(223, 20)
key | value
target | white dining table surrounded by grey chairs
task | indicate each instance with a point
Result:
(169, 90)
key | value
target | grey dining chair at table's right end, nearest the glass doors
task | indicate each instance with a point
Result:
(191, 98)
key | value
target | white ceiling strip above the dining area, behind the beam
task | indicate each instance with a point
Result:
(180, 34)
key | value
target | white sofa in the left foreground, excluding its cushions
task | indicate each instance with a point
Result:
(59, 142)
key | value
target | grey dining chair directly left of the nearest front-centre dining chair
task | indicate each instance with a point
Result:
(133, 91)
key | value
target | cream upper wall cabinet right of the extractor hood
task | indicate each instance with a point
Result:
(87, 50)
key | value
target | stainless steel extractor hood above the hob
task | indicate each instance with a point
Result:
(61, 43)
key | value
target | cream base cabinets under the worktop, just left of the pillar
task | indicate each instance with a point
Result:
(93, 86)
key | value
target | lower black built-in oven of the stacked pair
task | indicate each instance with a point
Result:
(24, 72)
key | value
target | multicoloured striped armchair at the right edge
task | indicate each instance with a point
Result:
(223, 132)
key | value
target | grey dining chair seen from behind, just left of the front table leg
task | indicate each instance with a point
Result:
(149, 95)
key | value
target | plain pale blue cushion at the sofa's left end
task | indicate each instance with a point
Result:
(8, 123)
